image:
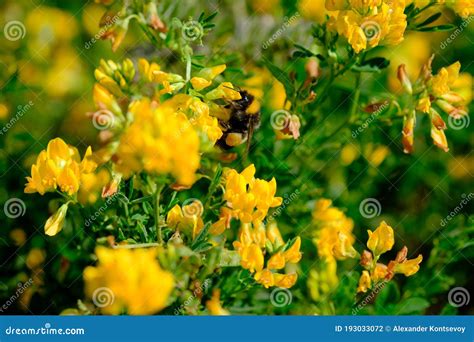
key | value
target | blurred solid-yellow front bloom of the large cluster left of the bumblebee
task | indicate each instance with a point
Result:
(158, 141)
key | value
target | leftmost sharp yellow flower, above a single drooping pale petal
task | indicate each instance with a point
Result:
(59, 166)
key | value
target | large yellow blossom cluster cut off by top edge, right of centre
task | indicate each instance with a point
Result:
(368, 23)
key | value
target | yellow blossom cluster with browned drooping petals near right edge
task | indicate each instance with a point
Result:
(434, 94)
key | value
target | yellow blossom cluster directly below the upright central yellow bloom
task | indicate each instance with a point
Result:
(254, 241)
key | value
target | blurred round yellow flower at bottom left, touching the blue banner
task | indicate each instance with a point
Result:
(130, 280)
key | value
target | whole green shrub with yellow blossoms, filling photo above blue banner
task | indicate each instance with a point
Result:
(232, 156)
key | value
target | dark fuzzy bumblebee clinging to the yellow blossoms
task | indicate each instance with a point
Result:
(240, 126)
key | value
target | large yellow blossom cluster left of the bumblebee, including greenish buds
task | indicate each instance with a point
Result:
(155, 135)
